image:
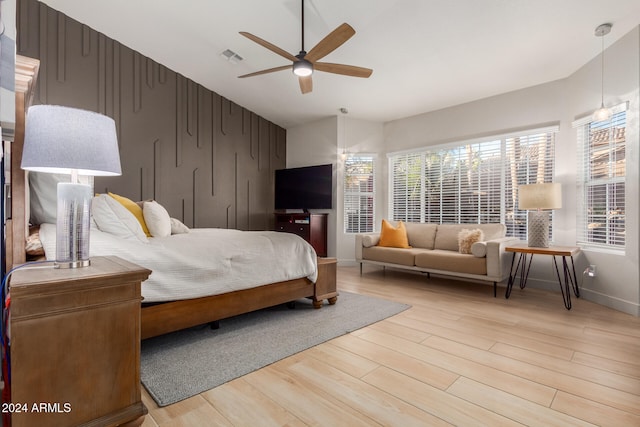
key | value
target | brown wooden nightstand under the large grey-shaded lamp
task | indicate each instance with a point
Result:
(75, 345)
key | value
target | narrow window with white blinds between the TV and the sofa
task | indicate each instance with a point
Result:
(359, 194)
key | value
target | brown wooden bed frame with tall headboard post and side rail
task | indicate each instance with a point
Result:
(157, 319)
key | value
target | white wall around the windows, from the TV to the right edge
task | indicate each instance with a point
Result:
(561, 102)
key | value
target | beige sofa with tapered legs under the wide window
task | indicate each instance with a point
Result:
(434, 249)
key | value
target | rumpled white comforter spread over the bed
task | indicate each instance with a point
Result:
(206, 261)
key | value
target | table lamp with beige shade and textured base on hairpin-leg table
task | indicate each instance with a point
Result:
(536, 198)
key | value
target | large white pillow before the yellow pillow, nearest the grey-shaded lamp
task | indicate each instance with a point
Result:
(113, 218)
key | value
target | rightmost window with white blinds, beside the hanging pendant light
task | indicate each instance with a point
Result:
(601, 180)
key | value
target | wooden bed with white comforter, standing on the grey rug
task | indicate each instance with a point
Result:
(259, 286)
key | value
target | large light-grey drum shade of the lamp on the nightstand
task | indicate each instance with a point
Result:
(63, 140)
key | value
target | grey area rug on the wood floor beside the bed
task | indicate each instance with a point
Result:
(182, 364)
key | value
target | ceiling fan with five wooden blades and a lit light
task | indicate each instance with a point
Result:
(304, 64)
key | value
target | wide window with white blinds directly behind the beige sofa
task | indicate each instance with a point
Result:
(473, 182)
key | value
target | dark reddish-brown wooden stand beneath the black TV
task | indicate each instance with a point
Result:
(311, 227)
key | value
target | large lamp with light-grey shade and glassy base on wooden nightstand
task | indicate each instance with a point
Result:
(76, 142)
